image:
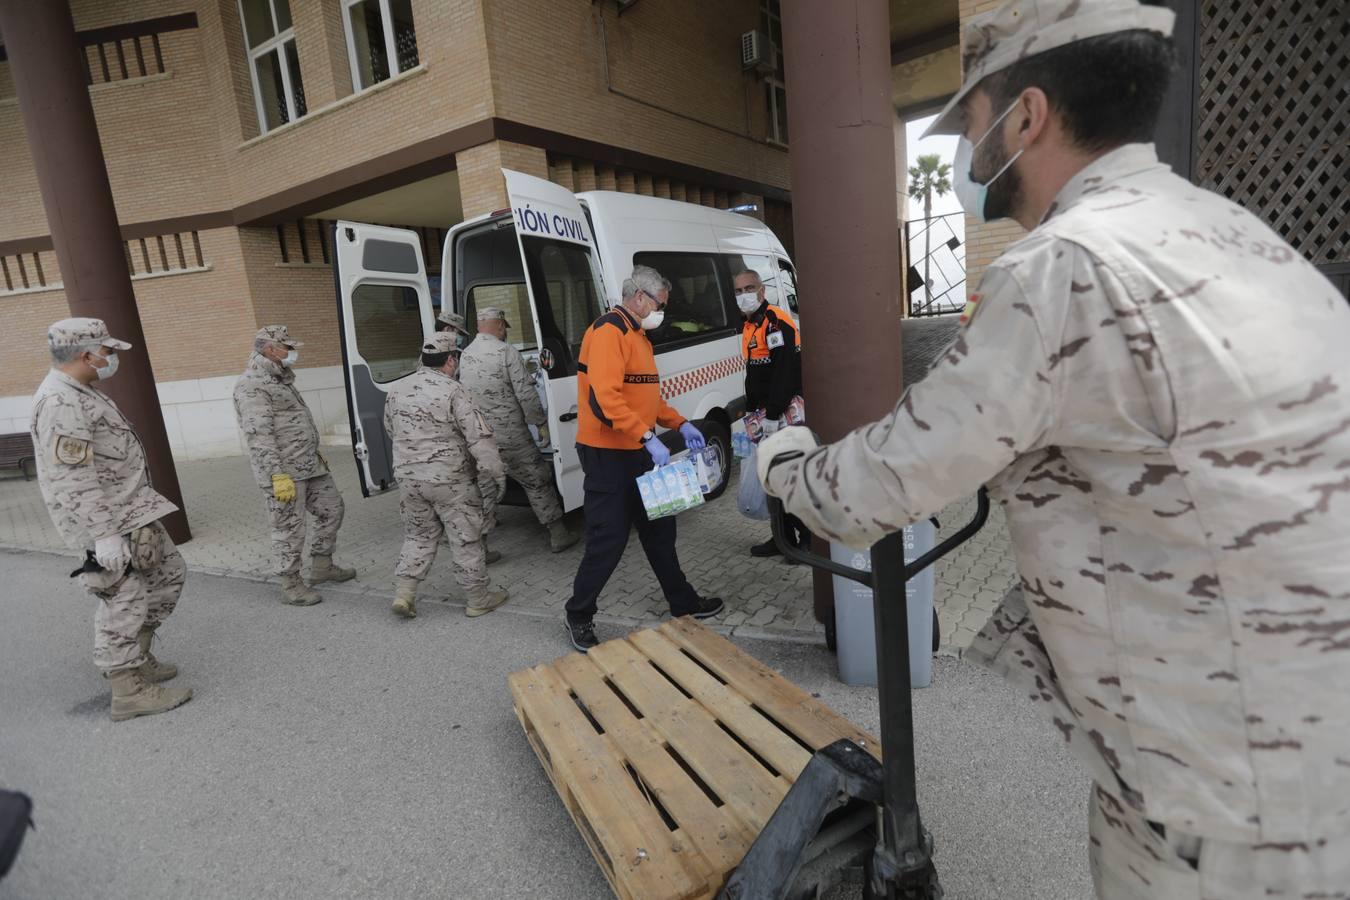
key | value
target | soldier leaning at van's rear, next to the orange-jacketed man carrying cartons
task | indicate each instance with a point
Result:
(506, 393)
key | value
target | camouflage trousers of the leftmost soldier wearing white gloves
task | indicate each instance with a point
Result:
(132, 602)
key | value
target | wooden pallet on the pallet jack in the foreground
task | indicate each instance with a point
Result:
(672, 748)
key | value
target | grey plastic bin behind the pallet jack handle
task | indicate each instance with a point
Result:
(855, 624)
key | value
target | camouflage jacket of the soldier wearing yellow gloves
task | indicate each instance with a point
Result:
(276, 423)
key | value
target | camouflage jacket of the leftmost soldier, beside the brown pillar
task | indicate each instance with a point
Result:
(91, 463)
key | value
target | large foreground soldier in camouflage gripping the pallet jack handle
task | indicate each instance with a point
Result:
(1155, 388)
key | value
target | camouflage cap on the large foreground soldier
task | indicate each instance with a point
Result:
(994, 41)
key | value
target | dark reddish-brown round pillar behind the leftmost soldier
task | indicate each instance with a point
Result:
(64, 138)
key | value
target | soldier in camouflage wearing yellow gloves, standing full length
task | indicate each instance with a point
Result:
(294, 476)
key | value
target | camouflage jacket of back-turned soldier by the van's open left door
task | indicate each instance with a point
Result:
(438, 434)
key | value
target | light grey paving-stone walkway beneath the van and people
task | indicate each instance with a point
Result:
(765, 597)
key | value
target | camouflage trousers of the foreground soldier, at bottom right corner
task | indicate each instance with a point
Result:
(1135, 860)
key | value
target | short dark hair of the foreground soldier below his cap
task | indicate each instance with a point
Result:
(1108, 90)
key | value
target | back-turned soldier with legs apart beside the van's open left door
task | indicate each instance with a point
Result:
(448, 465)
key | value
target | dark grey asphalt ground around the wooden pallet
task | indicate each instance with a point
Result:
(337, 752)
